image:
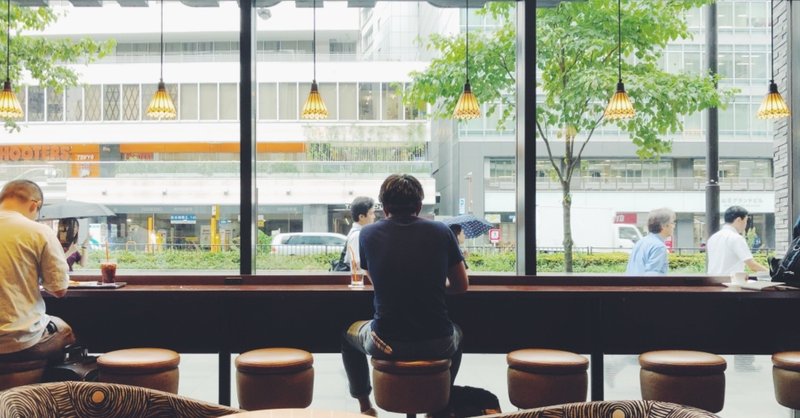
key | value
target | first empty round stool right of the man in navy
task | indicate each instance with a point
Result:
(541, 377)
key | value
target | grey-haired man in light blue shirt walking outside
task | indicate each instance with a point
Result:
(649, 254)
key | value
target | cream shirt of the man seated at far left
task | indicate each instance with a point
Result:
(27, 250)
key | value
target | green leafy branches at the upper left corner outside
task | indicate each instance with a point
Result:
(43, 60)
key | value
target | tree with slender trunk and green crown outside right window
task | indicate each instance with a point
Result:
(576, 47)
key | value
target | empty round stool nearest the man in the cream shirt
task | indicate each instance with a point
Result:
(154, 368)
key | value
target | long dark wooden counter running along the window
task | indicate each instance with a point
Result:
(585, 314)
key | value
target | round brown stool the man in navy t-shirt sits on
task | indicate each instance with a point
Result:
(411, 387)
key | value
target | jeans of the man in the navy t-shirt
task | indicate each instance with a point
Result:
(358, 342)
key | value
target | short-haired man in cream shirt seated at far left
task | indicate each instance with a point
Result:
(28, 251)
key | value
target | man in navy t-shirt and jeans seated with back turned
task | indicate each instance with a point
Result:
(412, 262)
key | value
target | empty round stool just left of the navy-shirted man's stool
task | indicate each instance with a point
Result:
(271, 378)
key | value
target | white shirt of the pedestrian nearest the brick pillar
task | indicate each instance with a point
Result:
(727, 251)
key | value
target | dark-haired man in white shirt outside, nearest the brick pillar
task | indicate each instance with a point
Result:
(727, 249)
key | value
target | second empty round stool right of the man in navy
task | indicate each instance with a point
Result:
(691, 378)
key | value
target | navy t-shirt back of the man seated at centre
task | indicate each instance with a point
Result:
(408, 259)
